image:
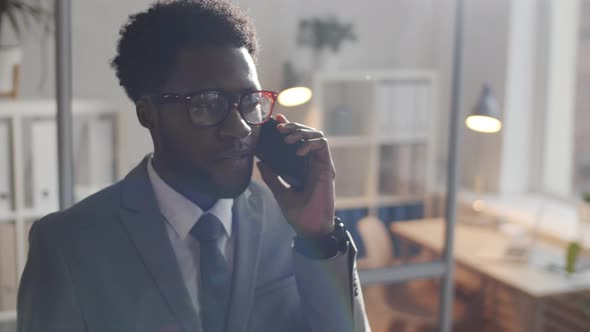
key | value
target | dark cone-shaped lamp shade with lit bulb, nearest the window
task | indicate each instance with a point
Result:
(485, 117)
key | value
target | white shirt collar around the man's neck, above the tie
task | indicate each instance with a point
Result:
(181, 213)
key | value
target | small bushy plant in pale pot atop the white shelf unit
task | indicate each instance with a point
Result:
(324, 36)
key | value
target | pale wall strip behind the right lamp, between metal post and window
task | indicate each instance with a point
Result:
(485, 61)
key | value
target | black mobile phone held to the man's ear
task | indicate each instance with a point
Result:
(280, 156)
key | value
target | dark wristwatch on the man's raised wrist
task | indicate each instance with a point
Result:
(326, 246)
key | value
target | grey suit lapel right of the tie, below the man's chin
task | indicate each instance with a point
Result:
(249, 210)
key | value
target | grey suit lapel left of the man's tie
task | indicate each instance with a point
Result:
(141, 217)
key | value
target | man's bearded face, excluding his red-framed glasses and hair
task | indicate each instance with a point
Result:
(217, 160)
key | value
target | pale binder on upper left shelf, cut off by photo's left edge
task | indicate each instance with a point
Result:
(6, 195)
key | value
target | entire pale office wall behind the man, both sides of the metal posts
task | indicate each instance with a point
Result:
(392, 34)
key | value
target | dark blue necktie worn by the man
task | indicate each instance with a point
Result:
(215, 277)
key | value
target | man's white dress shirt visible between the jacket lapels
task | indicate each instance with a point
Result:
(181, 215)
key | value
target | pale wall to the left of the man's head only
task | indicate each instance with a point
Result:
(95, 29)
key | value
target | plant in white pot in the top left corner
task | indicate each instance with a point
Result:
(18, 16)
